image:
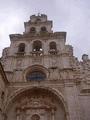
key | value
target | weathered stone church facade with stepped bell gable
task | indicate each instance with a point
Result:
(46, 81)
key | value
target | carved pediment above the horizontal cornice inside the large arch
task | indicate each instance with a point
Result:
(35, 103)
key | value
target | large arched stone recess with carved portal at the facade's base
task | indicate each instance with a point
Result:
(38, 104)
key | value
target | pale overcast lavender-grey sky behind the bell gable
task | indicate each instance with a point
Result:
(71, 16)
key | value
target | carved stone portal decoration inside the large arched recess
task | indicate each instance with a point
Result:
(29, 107)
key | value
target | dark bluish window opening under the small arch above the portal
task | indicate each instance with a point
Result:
(36, 75)
